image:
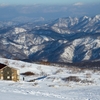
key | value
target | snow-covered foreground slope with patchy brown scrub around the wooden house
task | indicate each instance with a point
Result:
(49, 83)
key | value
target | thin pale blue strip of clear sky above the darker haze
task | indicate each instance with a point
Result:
(46, 1)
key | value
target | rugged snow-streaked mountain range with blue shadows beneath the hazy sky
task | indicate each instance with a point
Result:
(62, 40)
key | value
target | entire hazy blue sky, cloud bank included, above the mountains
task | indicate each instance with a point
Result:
(47, 9)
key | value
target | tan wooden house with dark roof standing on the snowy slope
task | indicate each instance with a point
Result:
(8, 73)
